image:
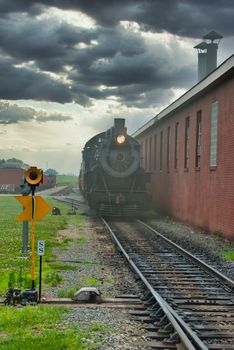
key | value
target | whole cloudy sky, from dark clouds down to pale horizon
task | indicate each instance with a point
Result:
(68, 68)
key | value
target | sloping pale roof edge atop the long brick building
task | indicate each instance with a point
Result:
(214, 78)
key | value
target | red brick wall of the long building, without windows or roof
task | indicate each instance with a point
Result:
(205, 197)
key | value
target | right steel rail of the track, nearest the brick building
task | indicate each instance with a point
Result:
(208, 268)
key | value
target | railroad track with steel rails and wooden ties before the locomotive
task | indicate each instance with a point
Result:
(188, 304)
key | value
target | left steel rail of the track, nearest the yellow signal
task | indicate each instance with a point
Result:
(179, 325)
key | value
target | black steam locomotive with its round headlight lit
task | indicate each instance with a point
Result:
(111, 178)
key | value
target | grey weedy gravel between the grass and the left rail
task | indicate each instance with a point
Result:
(97, 260)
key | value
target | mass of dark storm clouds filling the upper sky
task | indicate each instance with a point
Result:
(106, 61)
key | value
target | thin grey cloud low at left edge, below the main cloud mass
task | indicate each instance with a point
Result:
(12, 114)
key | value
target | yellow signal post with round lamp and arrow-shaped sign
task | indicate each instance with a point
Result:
(35, 208)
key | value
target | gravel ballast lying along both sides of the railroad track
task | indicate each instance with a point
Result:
(95, 258)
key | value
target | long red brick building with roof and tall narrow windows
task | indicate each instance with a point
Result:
(188, 148)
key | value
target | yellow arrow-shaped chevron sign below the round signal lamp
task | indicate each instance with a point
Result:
(41, 208)
